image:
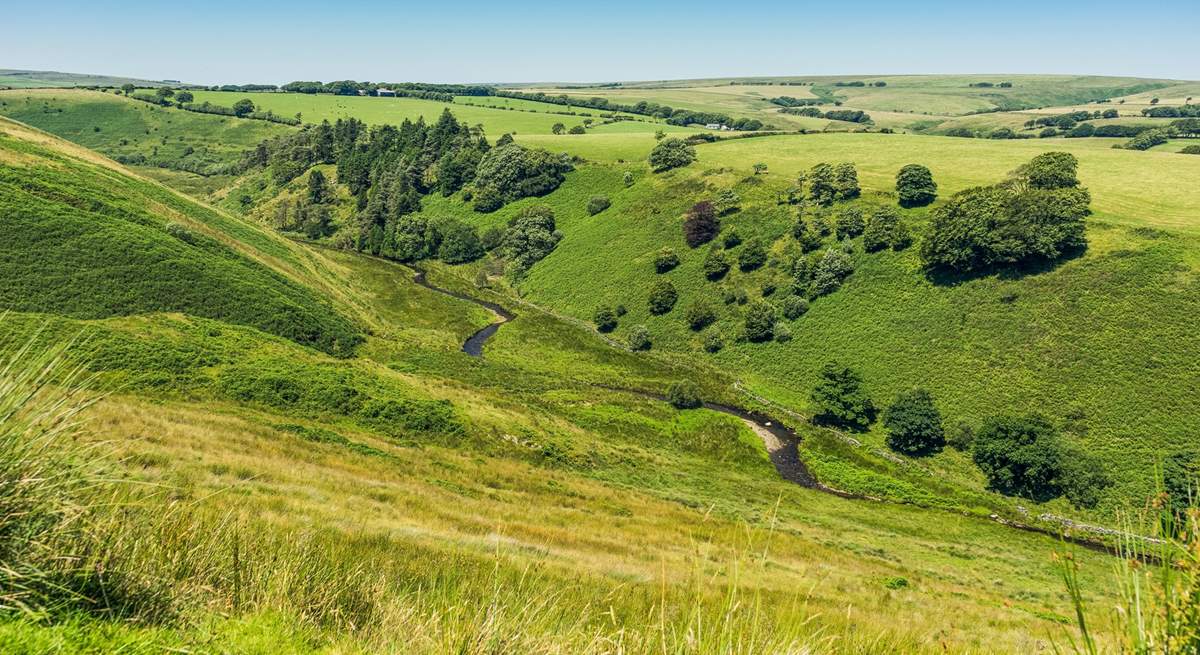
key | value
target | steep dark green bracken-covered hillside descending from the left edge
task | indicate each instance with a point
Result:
(88, 243)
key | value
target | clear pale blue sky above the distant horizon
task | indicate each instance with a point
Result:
(221, 41)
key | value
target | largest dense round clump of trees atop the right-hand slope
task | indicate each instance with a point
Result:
(1036, 215)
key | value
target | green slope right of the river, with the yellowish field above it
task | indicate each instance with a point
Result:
(1077, 340)
